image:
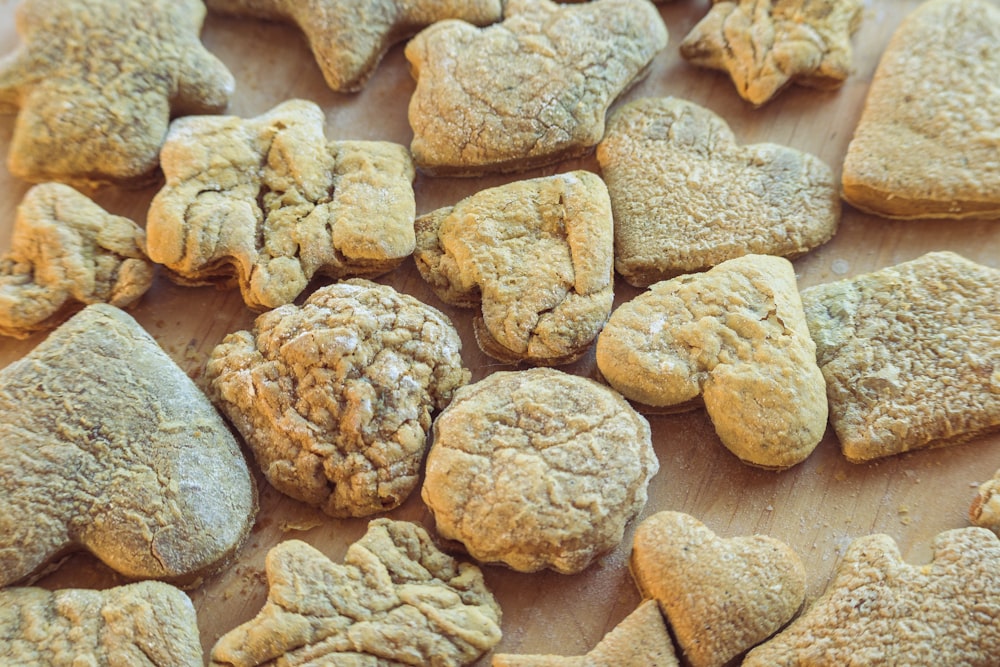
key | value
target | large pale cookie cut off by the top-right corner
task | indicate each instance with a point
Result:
(926, 144)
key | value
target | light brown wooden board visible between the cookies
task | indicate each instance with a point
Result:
(818, 507)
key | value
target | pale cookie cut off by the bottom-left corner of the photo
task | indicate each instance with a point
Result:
(146, 624)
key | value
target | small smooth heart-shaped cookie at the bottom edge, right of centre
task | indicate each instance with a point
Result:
(720, 596)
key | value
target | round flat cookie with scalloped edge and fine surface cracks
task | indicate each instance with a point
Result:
(538, 469)
